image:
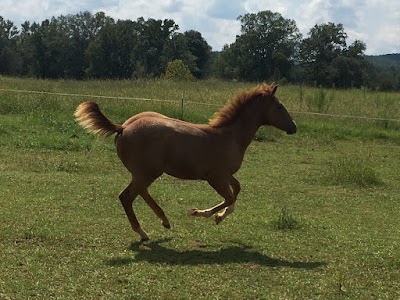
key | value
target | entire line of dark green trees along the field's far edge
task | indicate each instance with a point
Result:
(270, 47)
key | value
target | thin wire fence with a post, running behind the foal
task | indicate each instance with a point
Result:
(181, 102)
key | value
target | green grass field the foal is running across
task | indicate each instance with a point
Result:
(317, 218)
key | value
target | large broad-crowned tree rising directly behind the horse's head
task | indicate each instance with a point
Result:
(264, 50)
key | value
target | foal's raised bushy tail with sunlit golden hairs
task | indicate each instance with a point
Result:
(89, 116)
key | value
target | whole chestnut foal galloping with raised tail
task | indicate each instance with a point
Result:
(150, 144)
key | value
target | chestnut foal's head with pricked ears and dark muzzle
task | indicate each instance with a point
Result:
(275, 114)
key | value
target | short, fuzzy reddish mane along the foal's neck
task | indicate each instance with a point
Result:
(229, 113)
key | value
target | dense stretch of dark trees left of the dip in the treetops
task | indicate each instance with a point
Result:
(96, 46)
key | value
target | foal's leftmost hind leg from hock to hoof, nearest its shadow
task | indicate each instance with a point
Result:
(126, 198)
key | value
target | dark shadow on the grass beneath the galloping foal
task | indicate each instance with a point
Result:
(154, 252)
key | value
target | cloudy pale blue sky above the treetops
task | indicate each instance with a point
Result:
(375, 22)
